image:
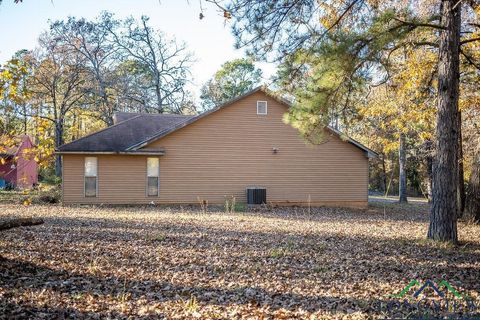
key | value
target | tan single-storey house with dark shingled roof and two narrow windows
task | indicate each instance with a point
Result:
(145, 158)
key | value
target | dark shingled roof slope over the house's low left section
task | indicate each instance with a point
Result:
(118, 137)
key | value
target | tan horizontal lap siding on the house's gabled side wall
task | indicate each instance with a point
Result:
(225, 152)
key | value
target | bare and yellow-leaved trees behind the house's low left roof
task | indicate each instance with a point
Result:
(82, 72)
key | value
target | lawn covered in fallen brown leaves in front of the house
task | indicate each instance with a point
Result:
(88, 262)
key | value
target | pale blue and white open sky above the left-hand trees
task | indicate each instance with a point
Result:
(209, 39)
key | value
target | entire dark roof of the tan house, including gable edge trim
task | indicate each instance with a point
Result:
(133, 131)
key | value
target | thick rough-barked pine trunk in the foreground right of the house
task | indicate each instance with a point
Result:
(443, 215)
